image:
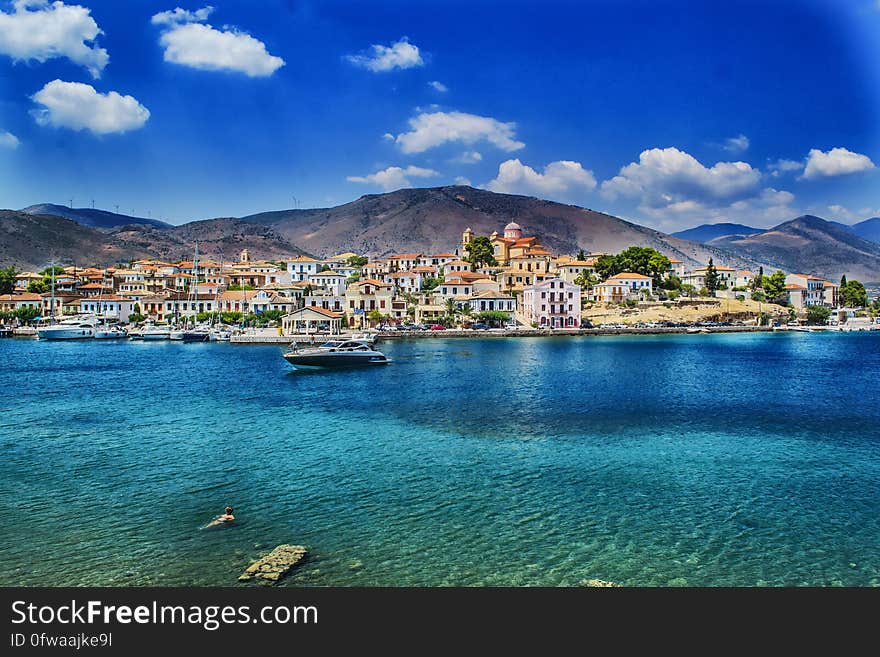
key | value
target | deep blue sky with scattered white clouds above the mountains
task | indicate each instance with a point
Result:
(669, 113)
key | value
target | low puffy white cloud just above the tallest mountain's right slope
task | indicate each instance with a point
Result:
(560, 180)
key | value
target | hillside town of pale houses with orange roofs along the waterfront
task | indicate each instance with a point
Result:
(503, 280)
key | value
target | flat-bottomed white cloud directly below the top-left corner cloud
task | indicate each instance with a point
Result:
(78, 106)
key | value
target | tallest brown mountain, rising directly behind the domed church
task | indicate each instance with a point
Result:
(431, 220)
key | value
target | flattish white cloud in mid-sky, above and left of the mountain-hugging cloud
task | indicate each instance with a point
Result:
(435, 128)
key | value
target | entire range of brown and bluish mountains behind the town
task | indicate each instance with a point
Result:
(426, 220)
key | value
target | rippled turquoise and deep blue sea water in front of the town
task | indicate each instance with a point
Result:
(691, 460)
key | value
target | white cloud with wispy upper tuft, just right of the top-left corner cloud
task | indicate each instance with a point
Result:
(189, 42)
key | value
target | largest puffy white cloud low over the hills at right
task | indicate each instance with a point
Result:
(663, 177)
